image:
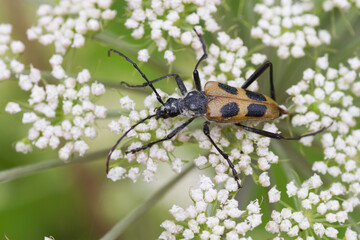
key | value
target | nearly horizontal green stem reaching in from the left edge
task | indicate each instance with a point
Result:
(17, 172)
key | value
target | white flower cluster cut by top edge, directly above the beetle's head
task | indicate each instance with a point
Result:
(162, 19)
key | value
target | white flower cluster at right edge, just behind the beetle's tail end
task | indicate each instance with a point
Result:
(326, 95)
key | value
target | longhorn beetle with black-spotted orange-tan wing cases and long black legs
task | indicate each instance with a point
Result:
(218, 102)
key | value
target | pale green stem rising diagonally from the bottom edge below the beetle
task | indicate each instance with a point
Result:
(121, 226)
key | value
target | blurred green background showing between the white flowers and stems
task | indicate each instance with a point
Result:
(77, 201)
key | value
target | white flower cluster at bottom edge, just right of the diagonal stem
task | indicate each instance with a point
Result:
(195, 222)
